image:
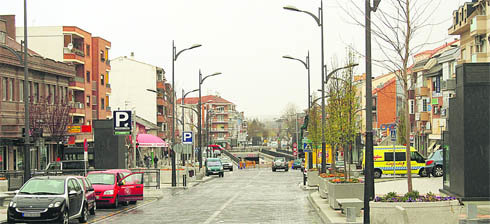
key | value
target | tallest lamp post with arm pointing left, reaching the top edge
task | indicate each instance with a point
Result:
(319, 21)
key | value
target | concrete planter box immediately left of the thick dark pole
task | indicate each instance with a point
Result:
(344, 190)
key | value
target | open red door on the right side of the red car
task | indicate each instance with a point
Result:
(131, 187)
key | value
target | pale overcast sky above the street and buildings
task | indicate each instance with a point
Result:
(243, 39)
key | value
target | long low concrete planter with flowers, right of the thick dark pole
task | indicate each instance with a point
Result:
(415, 212)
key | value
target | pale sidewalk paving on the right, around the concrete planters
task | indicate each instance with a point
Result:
(423, 185)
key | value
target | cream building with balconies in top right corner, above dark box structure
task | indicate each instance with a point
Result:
(471, 22)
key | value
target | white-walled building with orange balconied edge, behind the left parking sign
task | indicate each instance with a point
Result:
(149, 97)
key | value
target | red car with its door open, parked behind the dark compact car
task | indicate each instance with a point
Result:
(113, 187)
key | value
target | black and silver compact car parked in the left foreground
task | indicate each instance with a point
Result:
(53, 199)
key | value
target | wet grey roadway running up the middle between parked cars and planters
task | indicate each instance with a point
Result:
(242, 196)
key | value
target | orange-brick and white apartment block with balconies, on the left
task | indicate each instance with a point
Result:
(90, 86)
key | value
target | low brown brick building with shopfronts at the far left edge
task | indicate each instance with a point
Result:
(49, 82)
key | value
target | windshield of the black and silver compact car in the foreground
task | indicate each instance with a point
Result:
(44, 186)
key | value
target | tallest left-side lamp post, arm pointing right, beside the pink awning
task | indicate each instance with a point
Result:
(175, 55)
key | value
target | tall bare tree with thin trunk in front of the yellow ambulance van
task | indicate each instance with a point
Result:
(396, 26)
